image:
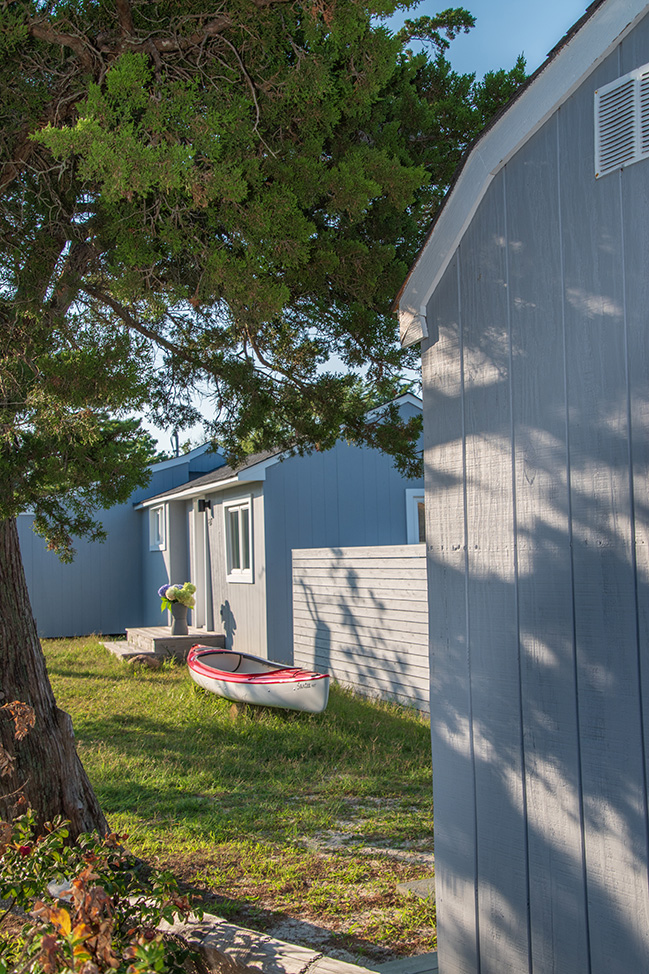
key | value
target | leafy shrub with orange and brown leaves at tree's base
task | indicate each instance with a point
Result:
(90, 908)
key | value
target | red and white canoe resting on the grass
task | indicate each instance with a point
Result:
(250, 679)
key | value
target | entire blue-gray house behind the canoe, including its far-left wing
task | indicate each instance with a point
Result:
(230, 532)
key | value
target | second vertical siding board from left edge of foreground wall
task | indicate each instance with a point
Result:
(493, 643)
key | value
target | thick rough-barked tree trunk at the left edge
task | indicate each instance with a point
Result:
(47, 771)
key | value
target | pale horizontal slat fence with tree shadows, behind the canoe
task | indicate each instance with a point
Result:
(361, 614)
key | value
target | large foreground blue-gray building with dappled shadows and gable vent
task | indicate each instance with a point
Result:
(531, 304)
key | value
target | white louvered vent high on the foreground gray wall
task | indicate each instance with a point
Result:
(622, 122)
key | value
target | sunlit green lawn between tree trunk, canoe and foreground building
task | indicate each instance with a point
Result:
(300, 824)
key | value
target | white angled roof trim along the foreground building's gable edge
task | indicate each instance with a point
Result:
(556, 82)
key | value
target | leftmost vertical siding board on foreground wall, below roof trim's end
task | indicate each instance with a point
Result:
(451, 729)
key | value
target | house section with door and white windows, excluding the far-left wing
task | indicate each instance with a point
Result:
(231, 532)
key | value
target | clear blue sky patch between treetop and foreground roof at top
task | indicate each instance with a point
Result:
(506, 28)
